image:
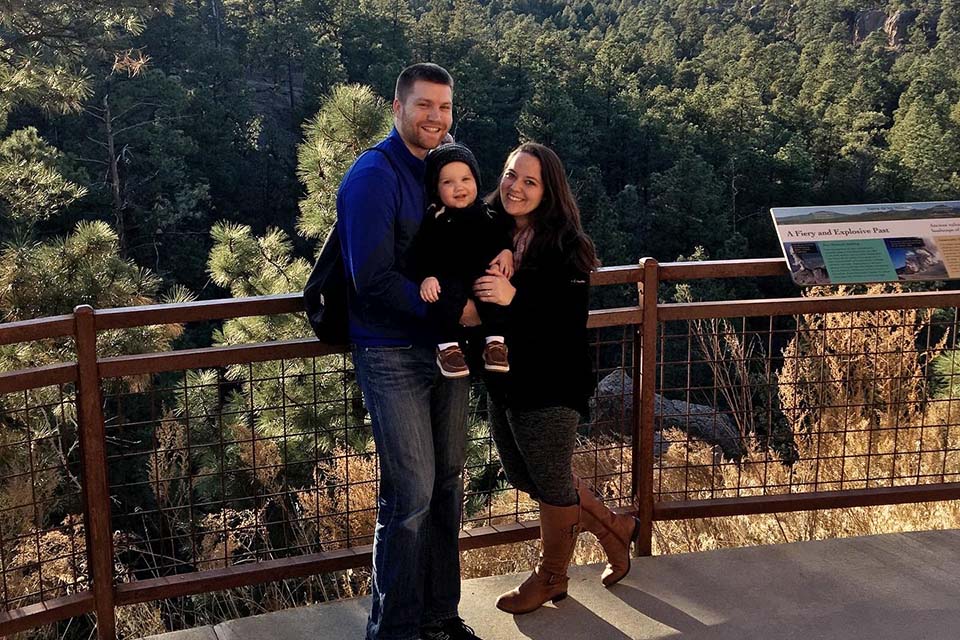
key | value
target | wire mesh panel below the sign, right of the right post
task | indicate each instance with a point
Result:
(760, 406)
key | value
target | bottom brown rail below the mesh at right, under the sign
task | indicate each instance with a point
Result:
(754, 505)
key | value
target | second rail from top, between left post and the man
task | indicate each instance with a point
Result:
(119, 366)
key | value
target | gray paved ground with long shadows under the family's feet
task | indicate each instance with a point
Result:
(892, 587)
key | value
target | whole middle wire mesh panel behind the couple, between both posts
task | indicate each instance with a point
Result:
(211, 468)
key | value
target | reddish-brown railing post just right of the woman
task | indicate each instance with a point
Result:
(644, 390)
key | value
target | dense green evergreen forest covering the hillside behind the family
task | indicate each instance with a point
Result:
(174, 150)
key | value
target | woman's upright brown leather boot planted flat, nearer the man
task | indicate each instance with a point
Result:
(558, 537)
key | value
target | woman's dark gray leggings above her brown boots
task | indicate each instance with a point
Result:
(536, 449)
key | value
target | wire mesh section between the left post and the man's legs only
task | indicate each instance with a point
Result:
(216, 467)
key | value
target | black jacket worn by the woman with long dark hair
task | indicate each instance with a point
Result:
(549, 354)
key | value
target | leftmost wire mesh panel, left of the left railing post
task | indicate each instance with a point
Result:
(42, 545)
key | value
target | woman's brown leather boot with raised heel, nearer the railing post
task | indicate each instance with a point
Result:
(614, 532)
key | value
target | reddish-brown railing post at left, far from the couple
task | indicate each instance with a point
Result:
(96, 492)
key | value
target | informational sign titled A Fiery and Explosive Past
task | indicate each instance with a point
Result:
(871, 242)
